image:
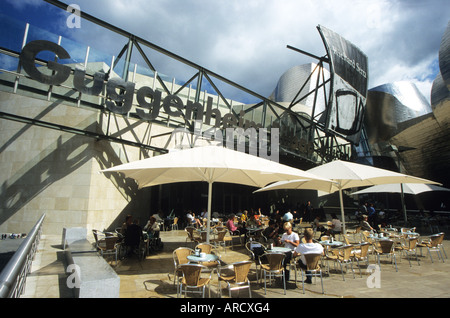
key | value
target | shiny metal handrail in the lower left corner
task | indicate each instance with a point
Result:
(13, 275)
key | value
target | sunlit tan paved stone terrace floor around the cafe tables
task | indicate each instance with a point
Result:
(152, 277)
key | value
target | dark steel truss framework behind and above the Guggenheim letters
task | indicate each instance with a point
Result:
(319, 145)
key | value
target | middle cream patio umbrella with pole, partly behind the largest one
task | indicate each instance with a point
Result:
(350, 175)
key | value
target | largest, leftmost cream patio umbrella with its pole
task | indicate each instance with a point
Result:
(210, 164)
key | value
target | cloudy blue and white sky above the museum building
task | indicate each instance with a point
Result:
(245, 40)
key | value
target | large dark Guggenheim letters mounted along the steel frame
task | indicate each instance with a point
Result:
(122, 103)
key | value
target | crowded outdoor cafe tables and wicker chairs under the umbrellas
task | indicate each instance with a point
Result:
(237, 265)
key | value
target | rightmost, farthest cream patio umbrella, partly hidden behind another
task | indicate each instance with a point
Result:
(408, 188)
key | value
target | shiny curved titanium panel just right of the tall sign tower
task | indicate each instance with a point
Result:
(389, 105)
